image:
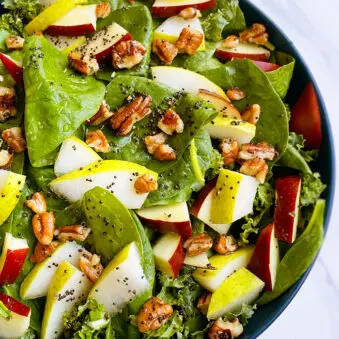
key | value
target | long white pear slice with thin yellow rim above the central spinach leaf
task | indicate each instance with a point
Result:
(183, 79)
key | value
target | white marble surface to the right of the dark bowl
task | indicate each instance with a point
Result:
(314, 28)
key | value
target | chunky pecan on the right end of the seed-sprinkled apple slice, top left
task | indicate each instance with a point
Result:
(127, 54)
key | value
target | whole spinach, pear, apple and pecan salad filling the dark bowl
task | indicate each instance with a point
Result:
(154, 181)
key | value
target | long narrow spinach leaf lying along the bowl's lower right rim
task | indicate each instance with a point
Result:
(300, 256)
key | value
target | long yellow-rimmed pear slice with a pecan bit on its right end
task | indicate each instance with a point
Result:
(116, 176)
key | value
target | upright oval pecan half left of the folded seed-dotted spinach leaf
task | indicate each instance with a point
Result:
(43, 227)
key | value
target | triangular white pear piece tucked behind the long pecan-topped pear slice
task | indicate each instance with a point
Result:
(74, 154)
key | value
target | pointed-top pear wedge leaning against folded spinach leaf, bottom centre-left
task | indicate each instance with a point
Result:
(121, 282)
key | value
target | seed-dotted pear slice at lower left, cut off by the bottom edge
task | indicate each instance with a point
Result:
(68, 287)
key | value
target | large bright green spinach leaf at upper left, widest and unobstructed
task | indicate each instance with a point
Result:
(58, 101)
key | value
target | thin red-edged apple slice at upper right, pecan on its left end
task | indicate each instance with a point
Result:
(243, 50)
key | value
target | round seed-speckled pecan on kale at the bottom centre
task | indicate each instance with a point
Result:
(153, 315)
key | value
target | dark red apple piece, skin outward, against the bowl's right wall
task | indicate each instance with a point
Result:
(306, 119)
